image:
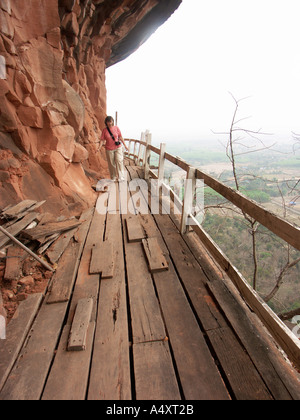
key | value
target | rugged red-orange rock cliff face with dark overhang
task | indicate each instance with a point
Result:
(53, 56)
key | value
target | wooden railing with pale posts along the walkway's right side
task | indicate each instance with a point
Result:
(282, 228)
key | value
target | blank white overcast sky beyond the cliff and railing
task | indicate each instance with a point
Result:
(176, 85)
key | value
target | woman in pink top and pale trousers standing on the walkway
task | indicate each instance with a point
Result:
(112, 139)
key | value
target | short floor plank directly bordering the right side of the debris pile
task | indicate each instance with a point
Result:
(64, 277)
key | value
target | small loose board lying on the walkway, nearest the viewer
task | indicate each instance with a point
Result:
(80, 325)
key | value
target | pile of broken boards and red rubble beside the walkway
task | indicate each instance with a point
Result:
(31, 244)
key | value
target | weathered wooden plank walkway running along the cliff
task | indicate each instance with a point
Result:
(141, 331)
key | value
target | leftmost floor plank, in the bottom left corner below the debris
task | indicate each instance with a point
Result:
(16, 333)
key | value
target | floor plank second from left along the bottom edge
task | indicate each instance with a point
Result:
(27, 378)
